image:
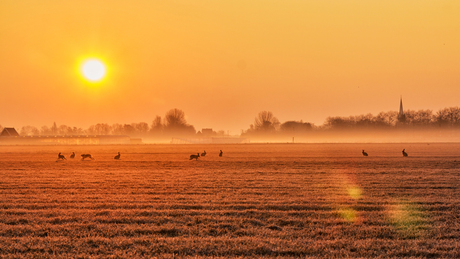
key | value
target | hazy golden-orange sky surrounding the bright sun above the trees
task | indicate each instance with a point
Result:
(222, 62)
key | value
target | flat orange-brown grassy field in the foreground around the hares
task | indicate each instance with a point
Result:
(258, 200)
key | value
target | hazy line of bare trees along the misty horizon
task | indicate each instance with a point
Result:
(265, 123)
